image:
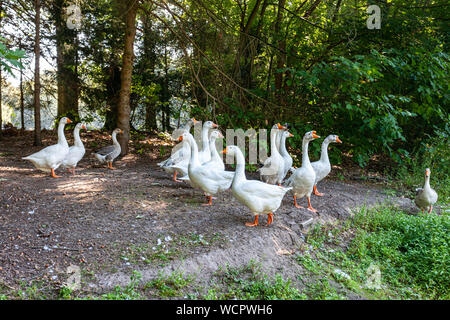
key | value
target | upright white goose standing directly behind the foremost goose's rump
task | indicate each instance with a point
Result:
(273, 168)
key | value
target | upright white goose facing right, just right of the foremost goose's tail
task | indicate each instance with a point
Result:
(302, 180)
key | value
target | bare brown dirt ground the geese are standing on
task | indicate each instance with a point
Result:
(111, 223)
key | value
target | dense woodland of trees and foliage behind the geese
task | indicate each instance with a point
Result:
(248, 63)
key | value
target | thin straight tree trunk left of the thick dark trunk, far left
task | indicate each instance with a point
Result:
(37, 81)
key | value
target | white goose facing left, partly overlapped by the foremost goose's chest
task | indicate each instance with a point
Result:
(207, 178)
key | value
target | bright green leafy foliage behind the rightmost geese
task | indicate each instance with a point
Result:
(380, 102)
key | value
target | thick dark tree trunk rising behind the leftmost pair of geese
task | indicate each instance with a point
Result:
(66, 58)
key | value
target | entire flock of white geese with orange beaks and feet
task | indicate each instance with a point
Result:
(205, 170)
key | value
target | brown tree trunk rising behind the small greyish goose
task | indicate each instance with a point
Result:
(123, 114)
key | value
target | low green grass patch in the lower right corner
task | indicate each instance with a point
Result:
(410, 251)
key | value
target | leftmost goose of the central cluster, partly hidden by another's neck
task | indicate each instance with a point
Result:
(181, 155)
